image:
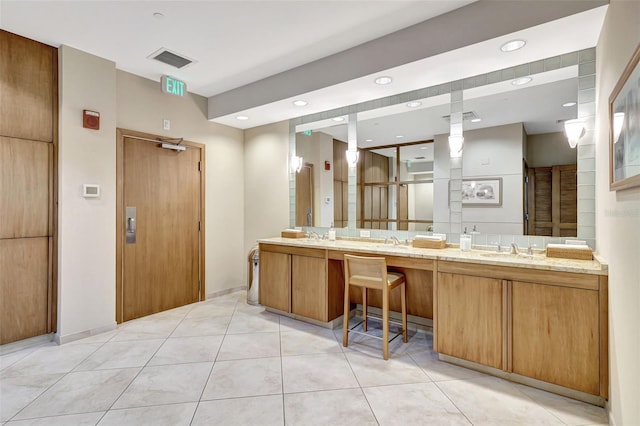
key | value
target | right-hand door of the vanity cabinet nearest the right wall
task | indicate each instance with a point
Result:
(555, 335)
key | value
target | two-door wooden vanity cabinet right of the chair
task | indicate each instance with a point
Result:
(550, 326)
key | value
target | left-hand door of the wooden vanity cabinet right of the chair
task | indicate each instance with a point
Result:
(470, 318)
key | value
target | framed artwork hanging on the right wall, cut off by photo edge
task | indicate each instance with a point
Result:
(624, 128)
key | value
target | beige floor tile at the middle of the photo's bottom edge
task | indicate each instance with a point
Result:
(335, 407)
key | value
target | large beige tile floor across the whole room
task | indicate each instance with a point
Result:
(223, 362)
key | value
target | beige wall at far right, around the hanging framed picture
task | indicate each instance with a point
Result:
(618, 221)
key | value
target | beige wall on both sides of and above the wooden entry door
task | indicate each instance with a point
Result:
(86, 242)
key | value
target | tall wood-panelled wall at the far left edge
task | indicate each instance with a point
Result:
(28, 152)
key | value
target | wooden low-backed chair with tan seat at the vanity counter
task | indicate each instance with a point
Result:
(371, 273)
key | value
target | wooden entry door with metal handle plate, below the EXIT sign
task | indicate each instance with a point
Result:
(161, 264)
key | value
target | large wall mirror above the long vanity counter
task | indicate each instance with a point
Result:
(519, 173)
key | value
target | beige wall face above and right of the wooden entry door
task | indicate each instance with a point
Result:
(142, 106)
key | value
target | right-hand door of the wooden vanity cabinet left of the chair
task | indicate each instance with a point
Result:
(309, 287)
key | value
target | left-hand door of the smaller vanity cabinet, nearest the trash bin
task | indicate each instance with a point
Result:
(274, 284)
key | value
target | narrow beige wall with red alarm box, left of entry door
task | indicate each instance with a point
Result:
(86, 226)
